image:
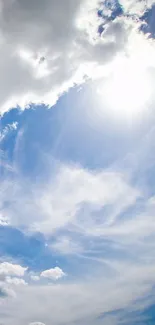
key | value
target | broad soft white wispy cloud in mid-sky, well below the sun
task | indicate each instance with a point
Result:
(70, 197)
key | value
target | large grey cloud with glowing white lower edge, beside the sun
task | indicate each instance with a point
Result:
(39, 63)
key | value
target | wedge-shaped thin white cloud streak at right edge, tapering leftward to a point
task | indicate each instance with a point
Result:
(132, 228)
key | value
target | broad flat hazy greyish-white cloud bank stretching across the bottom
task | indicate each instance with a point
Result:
(68, 303)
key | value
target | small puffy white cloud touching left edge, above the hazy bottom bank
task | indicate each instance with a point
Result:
(11, 269)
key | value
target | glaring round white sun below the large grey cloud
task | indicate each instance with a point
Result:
(128, 90)
